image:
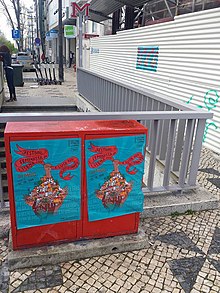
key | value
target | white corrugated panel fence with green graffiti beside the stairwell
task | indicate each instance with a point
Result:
(178, 59)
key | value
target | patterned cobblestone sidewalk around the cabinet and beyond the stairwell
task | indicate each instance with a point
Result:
(184, 253)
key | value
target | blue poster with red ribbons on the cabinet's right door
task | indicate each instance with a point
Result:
(114, 172)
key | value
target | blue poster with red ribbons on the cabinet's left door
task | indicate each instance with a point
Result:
(46, 180)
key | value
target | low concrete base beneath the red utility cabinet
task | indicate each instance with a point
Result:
(50, 255)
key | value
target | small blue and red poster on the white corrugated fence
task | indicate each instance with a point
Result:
(147, 58)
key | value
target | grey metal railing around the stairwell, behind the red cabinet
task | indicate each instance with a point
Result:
(175, 130)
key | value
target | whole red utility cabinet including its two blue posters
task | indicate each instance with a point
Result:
(71, 180)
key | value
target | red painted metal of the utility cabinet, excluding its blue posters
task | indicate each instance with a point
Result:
(52, 131)
